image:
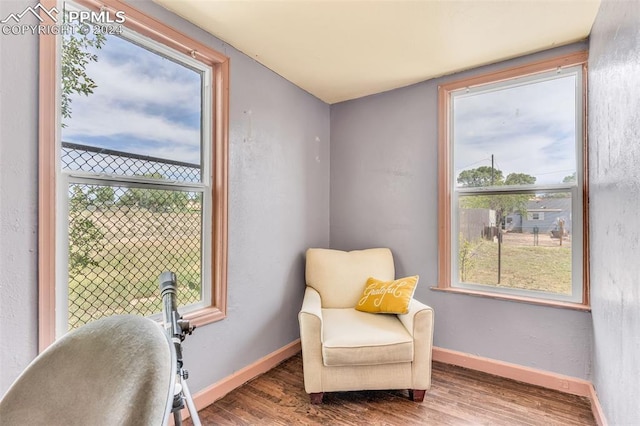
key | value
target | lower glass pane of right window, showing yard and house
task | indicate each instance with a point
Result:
(516, 241)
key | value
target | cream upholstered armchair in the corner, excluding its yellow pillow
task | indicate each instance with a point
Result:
(344, 349)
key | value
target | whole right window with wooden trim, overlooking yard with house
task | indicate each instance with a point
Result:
(512, 184)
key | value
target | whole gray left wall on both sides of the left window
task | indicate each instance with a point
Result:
(279, 206)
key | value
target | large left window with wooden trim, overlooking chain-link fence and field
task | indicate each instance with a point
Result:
(136, 143)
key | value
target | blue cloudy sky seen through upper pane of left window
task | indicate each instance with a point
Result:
(144, 104)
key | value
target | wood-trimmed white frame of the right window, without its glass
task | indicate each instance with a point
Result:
(450, 193)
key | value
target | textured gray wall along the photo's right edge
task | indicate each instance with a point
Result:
(614, 134)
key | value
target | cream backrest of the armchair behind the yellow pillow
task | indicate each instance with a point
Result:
(340, 276)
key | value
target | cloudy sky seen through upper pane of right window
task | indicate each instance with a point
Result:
(529, 129)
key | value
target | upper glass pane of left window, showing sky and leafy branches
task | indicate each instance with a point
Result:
(128, 100)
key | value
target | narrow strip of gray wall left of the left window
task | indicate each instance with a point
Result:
(18, 200)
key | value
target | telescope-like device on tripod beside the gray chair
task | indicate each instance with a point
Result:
(178, 329)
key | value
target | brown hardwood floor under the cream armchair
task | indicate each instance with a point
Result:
(458, 396)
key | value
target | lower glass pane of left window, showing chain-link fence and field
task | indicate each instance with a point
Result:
(121, 240)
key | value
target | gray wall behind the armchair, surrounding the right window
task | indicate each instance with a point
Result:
(384, 191)
